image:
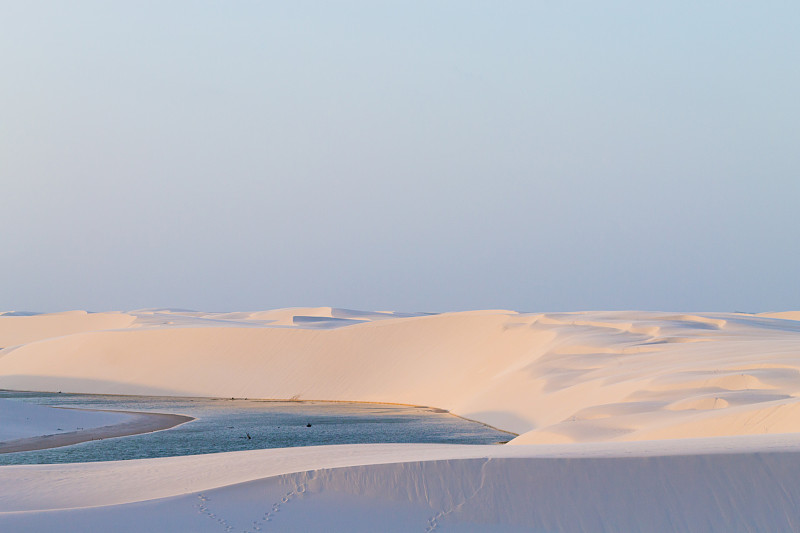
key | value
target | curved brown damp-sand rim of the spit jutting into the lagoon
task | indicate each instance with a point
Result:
(141, 423)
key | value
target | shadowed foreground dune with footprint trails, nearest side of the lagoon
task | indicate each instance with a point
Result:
(722, 485)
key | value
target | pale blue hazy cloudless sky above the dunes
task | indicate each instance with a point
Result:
(412, 156)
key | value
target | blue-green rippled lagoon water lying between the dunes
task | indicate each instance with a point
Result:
(223, 425)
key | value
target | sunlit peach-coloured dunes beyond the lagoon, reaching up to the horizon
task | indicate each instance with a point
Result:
(551, 377)
